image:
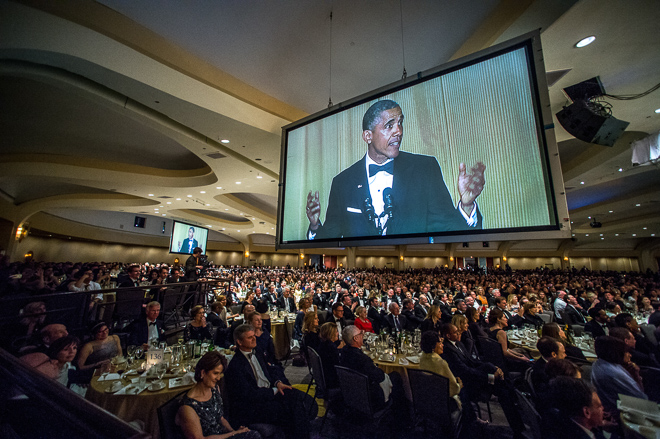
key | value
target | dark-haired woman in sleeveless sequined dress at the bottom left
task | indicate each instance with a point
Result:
(202, 413)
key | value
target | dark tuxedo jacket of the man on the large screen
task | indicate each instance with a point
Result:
(420, 199)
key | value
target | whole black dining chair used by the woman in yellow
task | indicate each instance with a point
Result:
(432, 404)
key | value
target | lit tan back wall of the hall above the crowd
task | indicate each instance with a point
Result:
(54, 249)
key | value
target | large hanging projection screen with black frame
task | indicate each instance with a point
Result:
(485, 109)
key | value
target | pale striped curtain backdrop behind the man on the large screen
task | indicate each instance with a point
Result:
(481, 113)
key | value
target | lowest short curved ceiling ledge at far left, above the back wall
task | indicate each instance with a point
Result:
(84, 201)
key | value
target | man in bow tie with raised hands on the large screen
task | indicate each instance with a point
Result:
(391, 192)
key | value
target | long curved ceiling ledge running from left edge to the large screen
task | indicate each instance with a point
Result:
(124, 105)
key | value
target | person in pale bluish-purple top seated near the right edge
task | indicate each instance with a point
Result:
(614, 374)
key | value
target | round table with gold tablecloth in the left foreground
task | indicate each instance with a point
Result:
(129, 408)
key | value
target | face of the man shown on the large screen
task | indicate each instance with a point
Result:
(385, 138)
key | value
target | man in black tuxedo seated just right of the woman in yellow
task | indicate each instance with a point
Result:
(477, 375)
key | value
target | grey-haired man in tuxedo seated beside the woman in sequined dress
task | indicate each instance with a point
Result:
(261, 394)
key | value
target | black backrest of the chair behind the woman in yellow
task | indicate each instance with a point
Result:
(430, 393)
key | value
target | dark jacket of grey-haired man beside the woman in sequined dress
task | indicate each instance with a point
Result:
(246, 398)
